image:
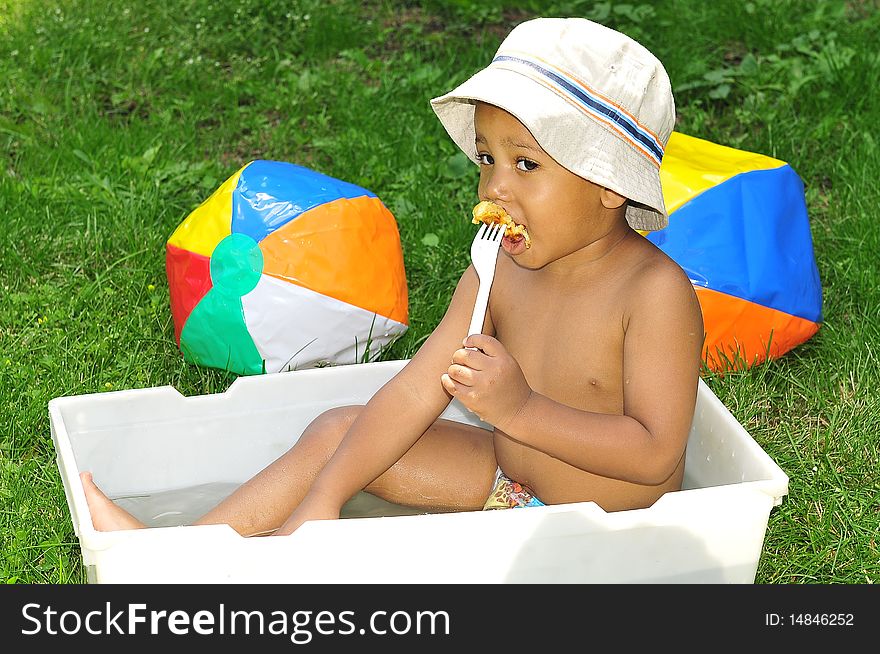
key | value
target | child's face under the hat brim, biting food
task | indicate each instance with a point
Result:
(563, 212)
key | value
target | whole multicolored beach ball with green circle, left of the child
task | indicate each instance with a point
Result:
(284, 268)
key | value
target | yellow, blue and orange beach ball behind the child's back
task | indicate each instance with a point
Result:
(738, 225)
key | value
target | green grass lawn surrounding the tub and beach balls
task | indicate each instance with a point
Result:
(118, 118)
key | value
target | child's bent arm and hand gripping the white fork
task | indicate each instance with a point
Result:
(662, 349)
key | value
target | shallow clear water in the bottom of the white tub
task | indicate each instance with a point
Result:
(183, 506)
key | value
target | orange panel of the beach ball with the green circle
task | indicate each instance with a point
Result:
(350, 250)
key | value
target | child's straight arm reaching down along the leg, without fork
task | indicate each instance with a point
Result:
(394, 418)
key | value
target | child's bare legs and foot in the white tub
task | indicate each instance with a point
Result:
(450, 467)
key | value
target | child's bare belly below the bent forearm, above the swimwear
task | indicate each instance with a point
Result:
(556, 482)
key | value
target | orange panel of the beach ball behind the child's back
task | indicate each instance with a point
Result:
(740, 333)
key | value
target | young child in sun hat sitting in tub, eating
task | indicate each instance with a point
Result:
(589, 359)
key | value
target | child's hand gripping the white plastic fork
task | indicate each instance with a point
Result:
(488, 380)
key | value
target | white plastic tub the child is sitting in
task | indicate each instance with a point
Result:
(152, 440)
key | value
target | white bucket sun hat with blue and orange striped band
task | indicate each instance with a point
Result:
(596, 101)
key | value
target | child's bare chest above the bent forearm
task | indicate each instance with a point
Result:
(569, 346)
